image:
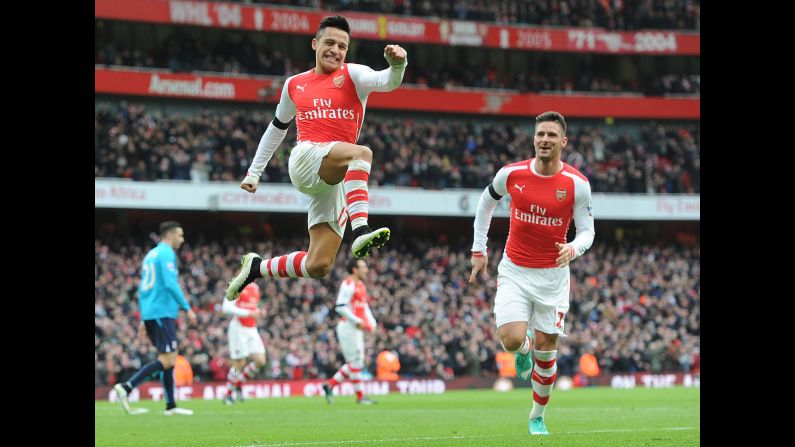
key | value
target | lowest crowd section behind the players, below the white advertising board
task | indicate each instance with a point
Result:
(636, 307)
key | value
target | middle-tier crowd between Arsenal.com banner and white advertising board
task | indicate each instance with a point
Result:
(133, 142)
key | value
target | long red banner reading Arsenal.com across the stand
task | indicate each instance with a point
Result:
(267, 89)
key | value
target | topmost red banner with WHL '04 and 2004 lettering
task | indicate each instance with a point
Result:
(401, 29)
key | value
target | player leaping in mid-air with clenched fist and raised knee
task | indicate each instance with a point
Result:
(328, 103)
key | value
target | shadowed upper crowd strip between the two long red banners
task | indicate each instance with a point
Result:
(184, 53)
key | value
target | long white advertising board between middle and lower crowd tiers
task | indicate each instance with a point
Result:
(283, 198)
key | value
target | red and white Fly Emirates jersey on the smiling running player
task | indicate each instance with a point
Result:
(542, 208)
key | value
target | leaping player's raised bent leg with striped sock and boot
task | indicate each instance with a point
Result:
(350, 163)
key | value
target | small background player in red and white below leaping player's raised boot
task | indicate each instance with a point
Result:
(355, 318)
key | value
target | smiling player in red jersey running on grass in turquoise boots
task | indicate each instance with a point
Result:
(533, 275)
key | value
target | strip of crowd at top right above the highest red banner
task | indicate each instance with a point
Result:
(610, 14)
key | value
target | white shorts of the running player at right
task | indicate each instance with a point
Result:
(526, 293)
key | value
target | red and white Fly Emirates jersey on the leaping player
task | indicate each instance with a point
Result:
(330, 107)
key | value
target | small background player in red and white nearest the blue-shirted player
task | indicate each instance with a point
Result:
(244, 340)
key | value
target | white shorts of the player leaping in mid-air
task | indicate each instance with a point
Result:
(326, 202)
